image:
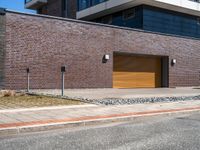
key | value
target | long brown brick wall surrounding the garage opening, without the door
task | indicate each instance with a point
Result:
(45, 44)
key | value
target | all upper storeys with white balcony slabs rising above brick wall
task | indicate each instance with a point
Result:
(179, 17)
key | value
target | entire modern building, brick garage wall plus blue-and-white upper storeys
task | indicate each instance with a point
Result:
(111, 44)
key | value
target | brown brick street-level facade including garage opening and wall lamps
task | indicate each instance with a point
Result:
(96, 55)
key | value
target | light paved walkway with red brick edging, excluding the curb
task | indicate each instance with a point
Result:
(27, 117)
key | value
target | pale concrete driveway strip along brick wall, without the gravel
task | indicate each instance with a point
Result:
(111, 93)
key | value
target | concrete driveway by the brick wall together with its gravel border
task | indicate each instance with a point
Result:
(112, 96)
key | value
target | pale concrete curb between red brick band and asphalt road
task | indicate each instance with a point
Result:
(89, 122)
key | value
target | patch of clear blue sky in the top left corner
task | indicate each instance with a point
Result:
(17, 5)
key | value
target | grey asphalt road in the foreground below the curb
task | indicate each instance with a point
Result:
(174, 132)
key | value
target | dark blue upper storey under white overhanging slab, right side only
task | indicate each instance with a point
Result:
(179, 17)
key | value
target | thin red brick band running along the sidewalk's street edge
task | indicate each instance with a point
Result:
(93, 118)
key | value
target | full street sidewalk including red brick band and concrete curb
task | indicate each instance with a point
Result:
(39, 119)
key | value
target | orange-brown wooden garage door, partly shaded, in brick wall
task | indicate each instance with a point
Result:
(136, 72)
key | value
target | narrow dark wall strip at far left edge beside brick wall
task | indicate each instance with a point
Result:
(2, 49)
